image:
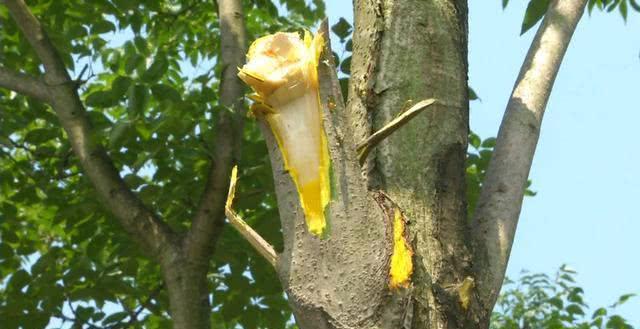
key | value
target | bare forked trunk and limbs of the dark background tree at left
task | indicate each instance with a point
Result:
(184, 259)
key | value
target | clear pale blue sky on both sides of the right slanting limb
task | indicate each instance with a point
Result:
(586, 166)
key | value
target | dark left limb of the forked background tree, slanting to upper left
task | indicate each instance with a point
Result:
(142, 224)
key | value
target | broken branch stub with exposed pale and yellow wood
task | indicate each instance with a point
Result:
(282, 70)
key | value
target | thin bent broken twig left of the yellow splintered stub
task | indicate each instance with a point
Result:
(262, 247)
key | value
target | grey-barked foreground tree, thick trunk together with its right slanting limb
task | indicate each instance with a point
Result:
(406, 52)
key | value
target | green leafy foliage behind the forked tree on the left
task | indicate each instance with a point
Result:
(152, 73)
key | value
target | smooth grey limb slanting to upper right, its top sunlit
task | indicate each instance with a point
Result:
(496, 215)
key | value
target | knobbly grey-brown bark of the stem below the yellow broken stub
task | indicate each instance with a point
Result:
(339, 281)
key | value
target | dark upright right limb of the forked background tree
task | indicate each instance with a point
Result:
(209, 219)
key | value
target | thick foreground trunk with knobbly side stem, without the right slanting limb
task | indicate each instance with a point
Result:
(404, 52)
